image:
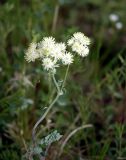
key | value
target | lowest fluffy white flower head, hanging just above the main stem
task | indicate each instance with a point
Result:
(48, 64)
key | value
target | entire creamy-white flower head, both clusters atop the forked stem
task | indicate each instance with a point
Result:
(52, 54)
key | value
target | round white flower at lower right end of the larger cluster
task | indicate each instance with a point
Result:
(67, 58)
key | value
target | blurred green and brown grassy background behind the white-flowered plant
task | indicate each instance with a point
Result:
(95, 88)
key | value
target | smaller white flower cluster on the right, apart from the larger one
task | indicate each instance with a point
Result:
(79, 43)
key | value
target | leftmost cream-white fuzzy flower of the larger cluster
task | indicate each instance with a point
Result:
(31, 54)
